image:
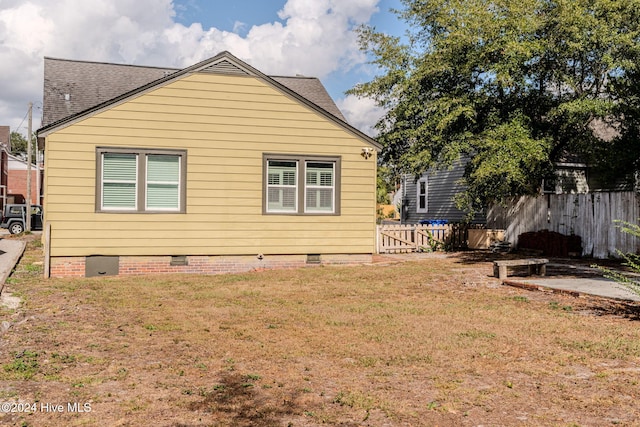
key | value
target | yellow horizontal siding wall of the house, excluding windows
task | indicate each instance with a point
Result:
(225, 123)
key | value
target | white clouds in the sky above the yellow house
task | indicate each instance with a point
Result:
(313, 39)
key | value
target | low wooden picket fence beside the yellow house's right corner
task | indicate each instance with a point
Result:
(404, 238)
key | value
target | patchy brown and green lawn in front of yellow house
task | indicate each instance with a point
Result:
(435, 342)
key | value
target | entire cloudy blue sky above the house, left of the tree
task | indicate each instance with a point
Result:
(279, 37)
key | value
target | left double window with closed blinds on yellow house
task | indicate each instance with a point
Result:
(140, 180)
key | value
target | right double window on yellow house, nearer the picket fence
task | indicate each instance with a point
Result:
(301, 185)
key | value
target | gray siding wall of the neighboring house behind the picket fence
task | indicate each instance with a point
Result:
(443, 185)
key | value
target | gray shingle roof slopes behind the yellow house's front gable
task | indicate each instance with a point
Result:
(71, 87)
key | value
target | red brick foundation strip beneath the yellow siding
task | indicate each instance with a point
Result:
(141, 265)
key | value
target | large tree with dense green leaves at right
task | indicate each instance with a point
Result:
(514, 86)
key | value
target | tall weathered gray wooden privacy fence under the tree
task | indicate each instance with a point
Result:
(591, 216)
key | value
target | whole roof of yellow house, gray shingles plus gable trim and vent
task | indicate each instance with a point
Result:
(75, 89)
